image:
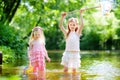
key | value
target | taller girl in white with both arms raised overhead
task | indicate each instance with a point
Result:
(71, 55)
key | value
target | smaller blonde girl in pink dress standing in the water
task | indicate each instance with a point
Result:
(37, 52)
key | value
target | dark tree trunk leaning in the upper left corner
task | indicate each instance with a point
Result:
(9, 9)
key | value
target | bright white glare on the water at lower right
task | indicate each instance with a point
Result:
(104, 70)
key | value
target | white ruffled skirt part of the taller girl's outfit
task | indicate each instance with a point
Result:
(71, 59)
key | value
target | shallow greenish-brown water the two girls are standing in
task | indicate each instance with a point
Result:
(94, 66)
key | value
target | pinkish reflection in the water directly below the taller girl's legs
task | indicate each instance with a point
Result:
(70, 76)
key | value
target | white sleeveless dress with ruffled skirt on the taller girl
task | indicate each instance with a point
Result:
(71, 56)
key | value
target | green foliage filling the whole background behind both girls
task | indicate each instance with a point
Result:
(99, 32)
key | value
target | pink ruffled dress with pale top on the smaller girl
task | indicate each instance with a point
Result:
(37, 55)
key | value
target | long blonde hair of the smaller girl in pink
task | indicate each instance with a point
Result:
(42, 37)
